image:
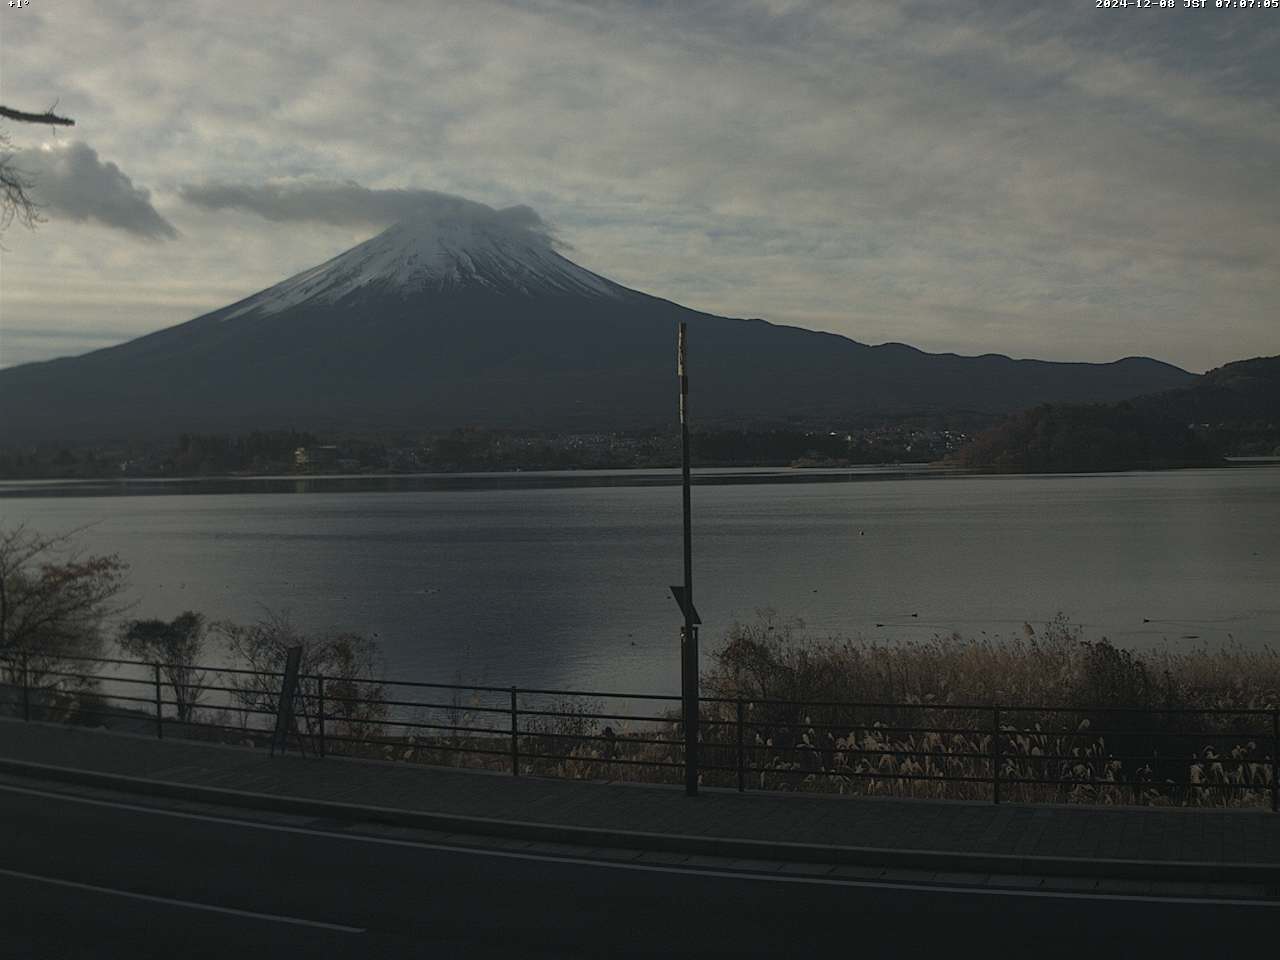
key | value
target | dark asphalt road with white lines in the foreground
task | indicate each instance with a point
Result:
(104, 880)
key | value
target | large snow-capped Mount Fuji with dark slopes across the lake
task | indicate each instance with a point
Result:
(468, 318)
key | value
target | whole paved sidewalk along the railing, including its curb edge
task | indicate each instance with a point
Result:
(1017, 839)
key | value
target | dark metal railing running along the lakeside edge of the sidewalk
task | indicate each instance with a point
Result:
(993, 752)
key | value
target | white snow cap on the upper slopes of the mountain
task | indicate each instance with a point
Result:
(440, 253)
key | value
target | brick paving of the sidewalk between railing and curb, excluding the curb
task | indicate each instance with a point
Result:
(1045, 831)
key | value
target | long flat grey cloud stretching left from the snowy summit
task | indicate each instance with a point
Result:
(345, 204)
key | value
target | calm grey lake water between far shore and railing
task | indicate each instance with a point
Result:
(561, 579)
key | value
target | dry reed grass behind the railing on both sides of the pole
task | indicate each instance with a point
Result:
(1087, 721)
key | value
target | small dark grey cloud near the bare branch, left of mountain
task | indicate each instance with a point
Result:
(71, 182)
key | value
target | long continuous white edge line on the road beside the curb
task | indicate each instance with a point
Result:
(650, 868)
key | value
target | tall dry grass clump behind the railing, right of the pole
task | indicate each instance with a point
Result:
(1054, 715)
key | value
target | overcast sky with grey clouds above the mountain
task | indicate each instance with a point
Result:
(1037, 179)
